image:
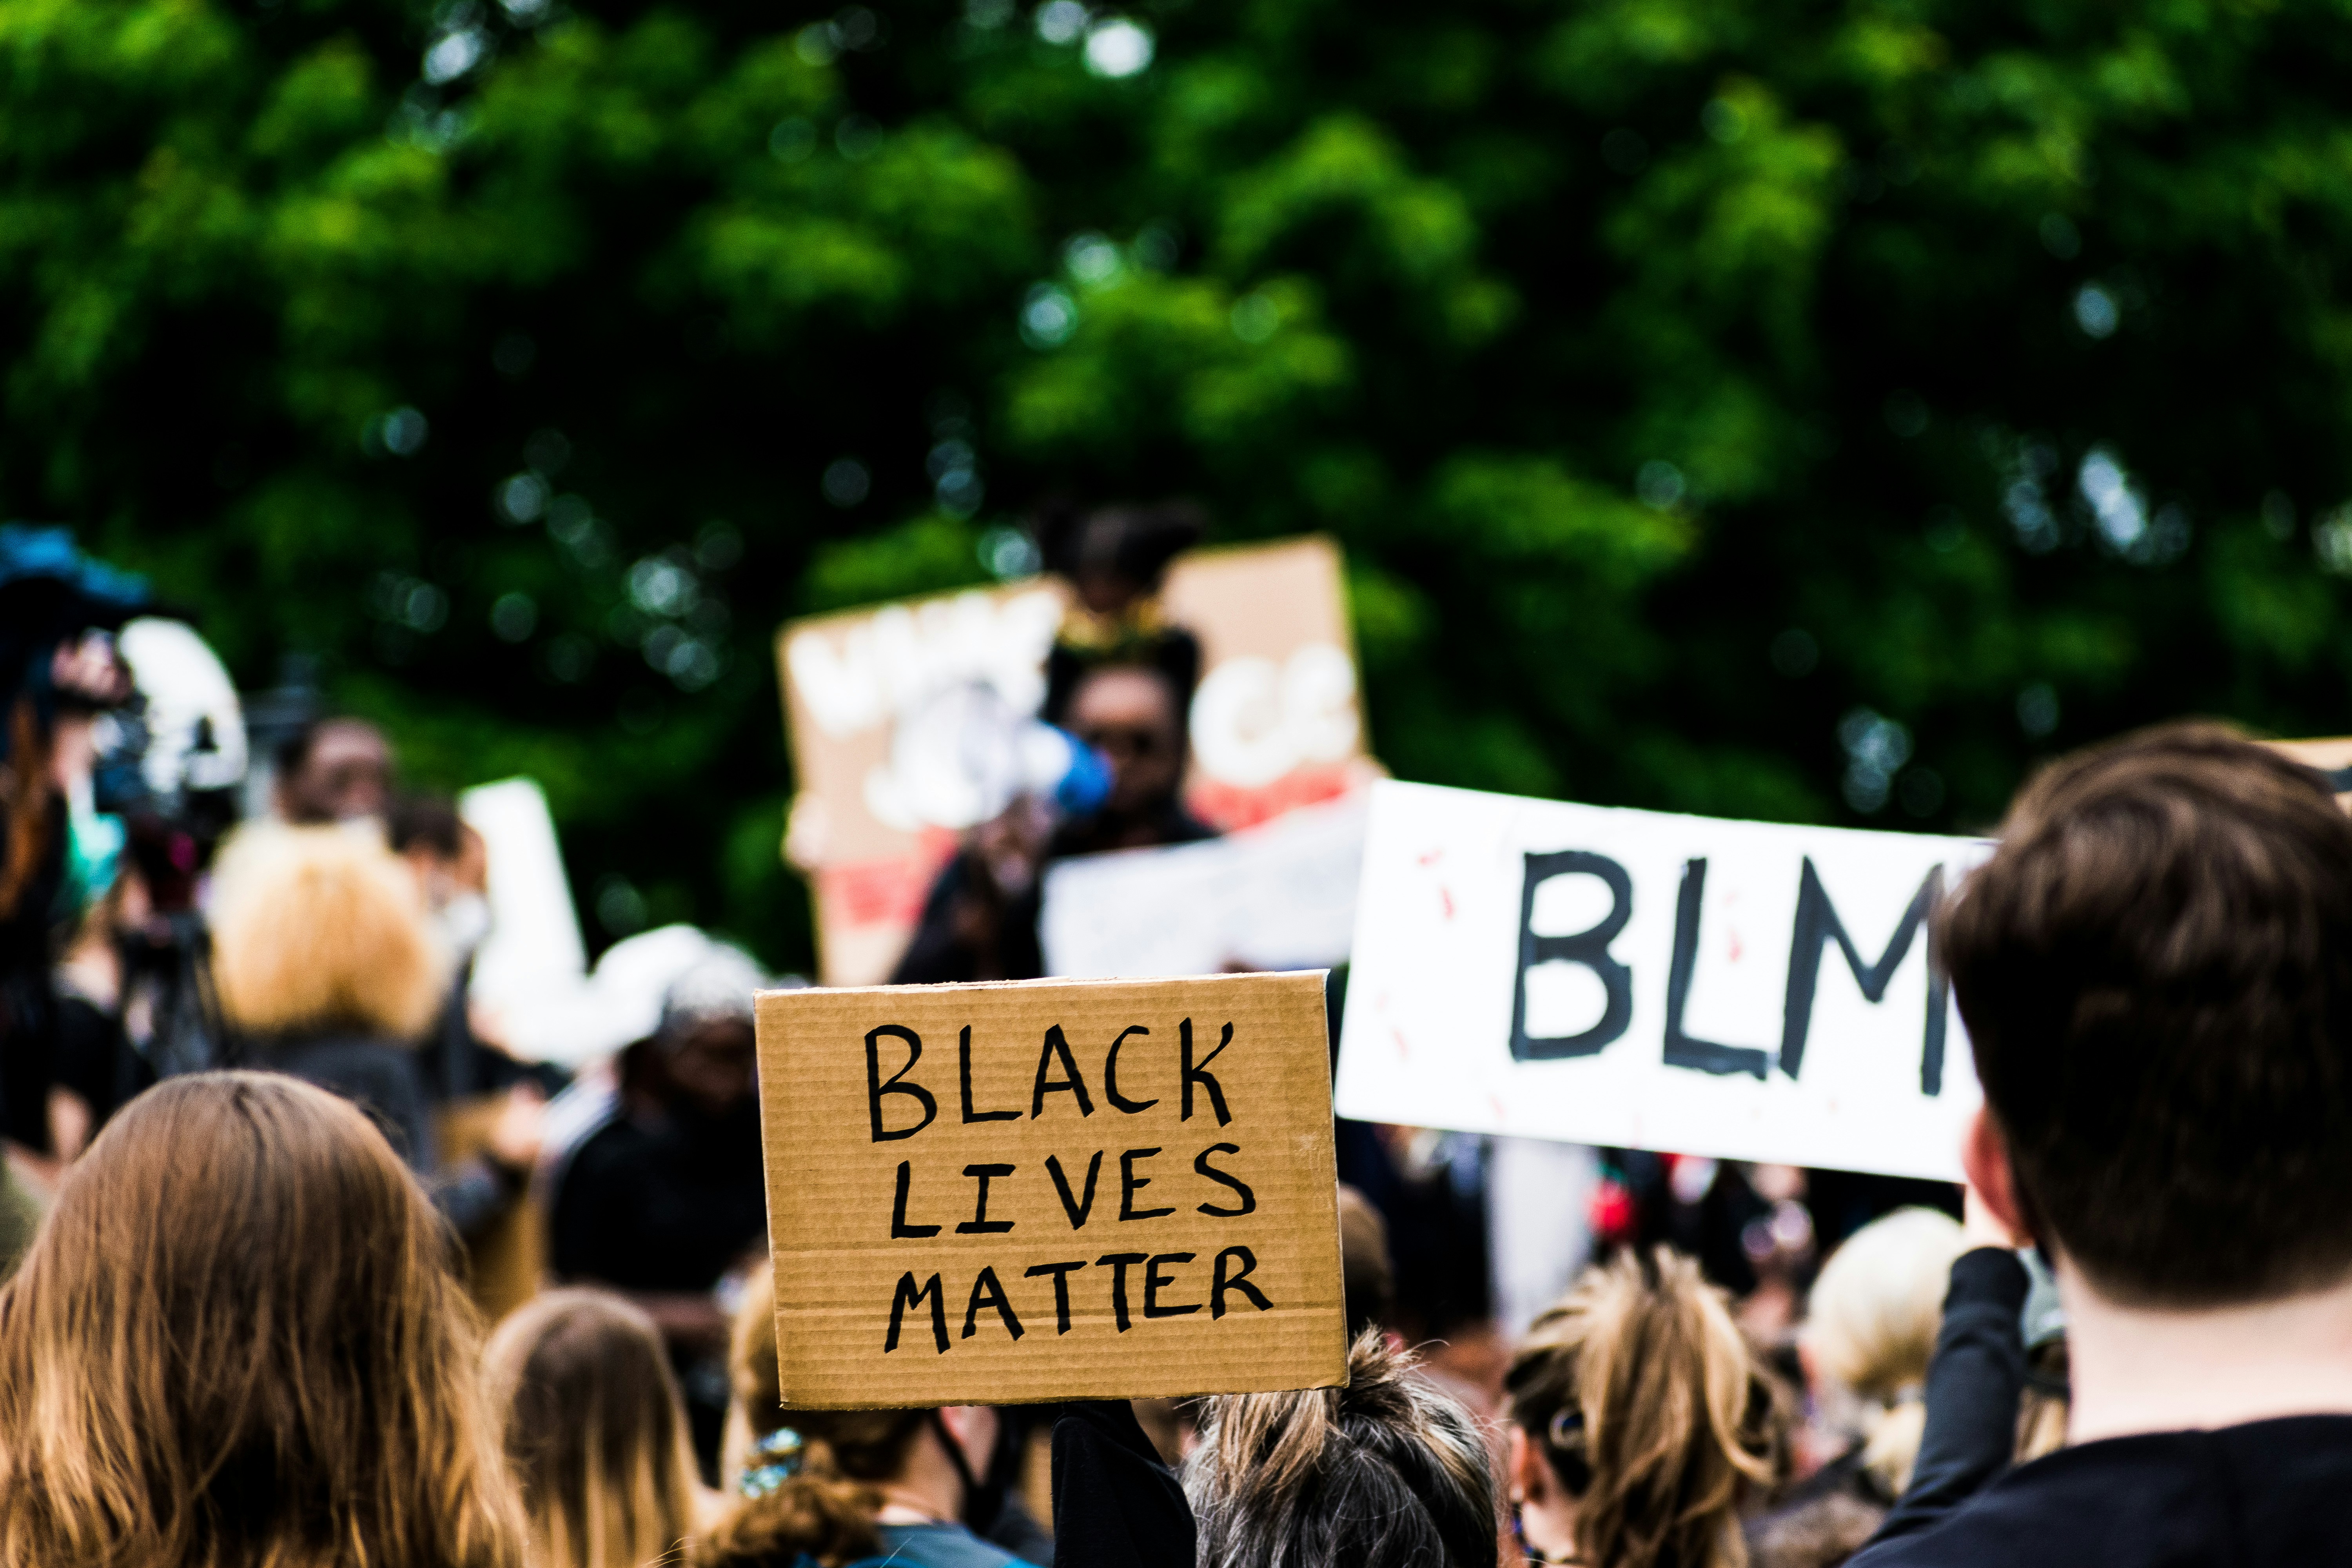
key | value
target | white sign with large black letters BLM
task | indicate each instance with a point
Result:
(1633, 979)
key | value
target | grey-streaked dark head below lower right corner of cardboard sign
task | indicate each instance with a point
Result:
(1382, 1473)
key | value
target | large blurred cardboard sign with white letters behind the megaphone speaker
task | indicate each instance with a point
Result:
(881, 706)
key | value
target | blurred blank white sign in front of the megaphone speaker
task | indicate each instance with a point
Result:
(1269, 897)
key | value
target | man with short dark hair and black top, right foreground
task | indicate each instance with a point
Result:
(2156, 970)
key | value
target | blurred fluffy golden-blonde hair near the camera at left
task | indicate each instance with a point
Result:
(323, 930)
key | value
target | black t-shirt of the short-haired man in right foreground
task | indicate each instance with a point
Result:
(2271, 1494)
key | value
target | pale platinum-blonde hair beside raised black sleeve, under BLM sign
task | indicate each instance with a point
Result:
(1873, 1322)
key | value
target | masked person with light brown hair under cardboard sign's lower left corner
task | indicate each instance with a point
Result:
(855, 1487)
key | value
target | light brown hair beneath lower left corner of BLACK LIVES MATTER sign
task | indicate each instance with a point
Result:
(829, 1508)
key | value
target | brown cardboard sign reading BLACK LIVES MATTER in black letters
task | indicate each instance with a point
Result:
(1053, 1191)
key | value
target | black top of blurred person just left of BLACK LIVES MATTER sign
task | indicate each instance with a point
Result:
(662, 1202)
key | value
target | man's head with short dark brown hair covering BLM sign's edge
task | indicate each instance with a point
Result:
(2156, 970)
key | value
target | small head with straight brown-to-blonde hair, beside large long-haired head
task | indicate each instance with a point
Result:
(596, 1435)
